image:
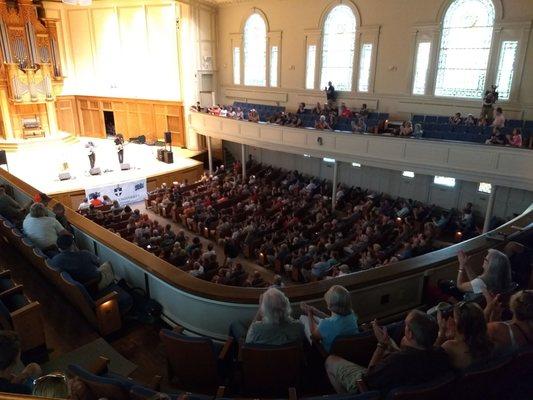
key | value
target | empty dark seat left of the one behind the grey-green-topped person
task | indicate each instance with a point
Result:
(193, 361)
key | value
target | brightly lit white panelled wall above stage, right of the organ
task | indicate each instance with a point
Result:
(120, 48)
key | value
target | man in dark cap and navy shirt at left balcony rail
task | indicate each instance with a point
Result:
(80, 264)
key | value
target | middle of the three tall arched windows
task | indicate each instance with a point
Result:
(338, 48)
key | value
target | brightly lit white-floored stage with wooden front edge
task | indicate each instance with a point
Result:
(40, 164)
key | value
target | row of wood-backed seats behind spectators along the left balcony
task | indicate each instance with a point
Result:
(102, 308)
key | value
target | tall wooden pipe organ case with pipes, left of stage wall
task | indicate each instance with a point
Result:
(29, 72)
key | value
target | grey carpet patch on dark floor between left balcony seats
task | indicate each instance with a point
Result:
(86, 355)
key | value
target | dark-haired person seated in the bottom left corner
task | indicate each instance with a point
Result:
(10, 381)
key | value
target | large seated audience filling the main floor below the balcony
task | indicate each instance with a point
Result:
(285, 221)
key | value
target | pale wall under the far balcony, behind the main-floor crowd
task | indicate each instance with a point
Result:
(421, 187)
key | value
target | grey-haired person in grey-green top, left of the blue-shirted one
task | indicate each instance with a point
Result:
(272, 324)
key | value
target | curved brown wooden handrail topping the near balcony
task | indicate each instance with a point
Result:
(186, 282)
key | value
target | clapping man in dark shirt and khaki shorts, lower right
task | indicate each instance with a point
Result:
(416, 360)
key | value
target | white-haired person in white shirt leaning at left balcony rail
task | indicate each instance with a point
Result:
(43, 230)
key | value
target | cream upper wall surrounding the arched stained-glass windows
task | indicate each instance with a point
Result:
(393, 27)
